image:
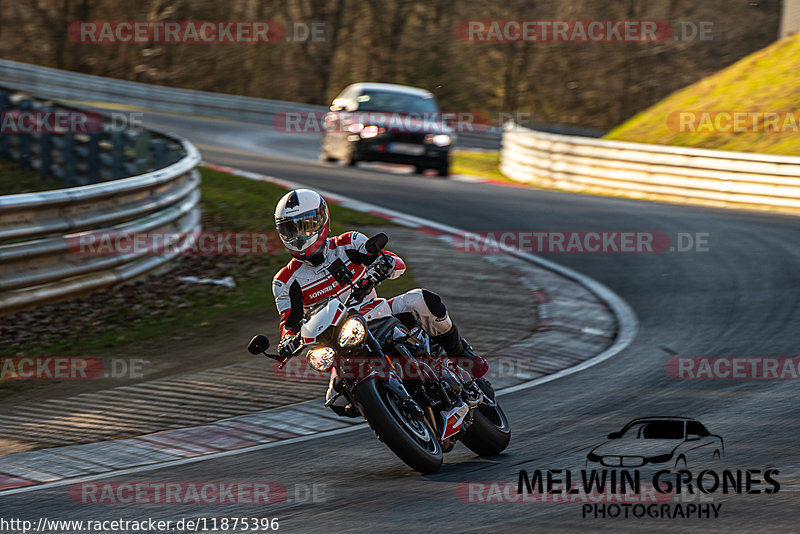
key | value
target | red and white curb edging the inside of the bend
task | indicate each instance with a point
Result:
(35, 470)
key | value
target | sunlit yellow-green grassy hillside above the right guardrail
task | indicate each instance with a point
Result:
(765, 84)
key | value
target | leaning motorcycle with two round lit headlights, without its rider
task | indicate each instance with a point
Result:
(416, 400)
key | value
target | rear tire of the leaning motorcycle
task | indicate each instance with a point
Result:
(490, 432)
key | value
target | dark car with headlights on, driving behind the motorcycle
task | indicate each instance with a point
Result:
(388, 123)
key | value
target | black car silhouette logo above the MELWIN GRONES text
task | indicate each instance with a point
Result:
(678, 441)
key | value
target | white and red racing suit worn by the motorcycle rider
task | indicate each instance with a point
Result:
(300, 285)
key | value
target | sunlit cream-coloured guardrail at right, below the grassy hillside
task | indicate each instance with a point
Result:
(638, 169)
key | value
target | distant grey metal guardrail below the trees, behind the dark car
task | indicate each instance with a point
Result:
(55, 83)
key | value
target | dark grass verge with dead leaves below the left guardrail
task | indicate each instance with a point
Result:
(140, 318)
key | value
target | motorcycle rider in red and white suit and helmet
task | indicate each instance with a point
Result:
(303, 224)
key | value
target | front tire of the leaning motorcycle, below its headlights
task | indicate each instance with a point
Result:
(412, 440)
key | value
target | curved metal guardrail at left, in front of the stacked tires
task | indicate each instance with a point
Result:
(37, 263)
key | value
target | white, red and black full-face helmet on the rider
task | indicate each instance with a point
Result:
(302, 220)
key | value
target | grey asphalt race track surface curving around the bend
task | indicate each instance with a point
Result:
(738, 299)
